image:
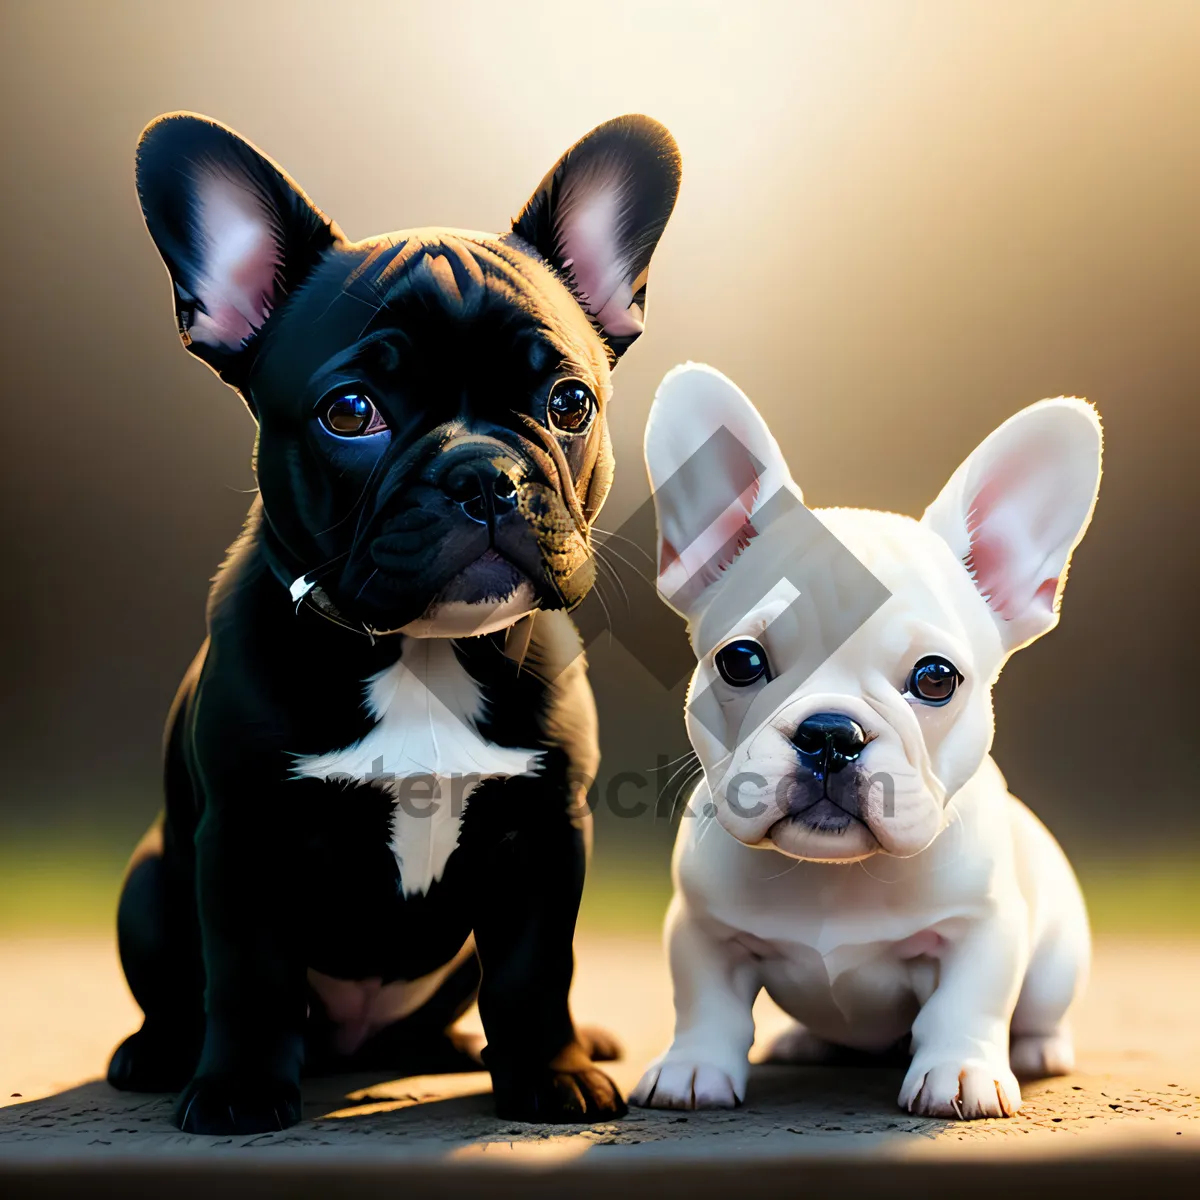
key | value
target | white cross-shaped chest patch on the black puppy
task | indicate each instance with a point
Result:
(427, 751)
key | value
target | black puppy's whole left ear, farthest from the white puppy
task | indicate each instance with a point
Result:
(236, 232)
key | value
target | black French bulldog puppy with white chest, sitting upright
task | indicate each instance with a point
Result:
(375, 766)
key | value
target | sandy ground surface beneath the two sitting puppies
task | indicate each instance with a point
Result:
(64, 1006)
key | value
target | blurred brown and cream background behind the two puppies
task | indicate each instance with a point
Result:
(899, 224)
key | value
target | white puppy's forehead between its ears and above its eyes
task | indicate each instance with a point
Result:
(817, 578)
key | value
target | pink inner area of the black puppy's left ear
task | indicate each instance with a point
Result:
(241, 259)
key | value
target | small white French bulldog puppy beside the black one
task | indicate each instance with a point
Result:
(910, 896)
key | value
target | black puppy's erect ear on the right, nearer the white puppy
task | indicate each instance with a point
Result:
(599, 214)
